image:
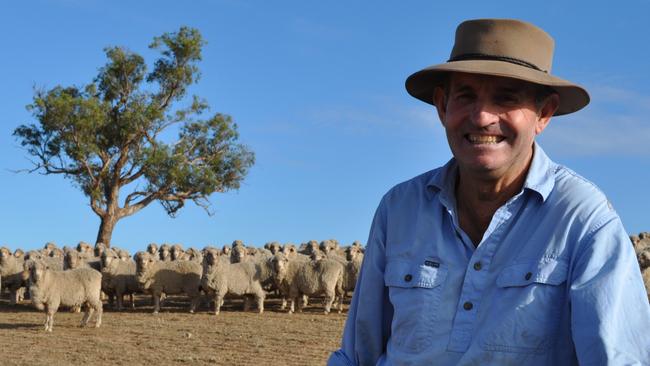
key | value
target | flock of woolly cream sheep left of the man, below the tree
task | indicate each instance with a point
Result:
(79, 278)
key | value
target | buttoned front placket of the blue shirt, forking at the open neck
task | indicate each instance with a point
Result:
(476, 272)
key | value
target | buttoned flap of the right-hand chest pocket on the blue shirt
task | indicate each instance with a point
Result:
(549, 271)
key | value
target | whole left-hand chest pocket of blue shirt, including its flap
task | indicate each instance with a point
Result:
(415, 289)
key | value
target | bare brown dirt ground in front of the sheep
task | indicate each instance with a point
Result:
(173, 337)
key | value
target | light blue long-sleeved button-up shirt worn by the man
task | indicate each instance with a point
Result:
(554, 281)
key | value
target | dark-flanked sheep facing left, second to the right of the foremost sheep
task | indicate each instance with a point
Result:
(158, 277)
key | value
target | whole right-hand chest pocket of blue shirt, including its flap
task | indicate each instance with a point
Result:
(528, 306)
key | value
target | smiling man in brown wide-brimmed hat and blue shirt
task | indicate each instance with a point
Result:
(500, 257)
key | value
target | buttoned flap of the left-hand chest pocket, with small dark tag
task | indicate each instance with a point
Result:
(425, 273)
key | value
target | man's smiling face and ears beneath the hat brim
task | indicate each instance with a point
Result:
(491, 123)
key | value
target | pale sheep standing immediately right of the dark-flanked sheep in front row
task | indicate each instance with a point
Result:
(221, 278)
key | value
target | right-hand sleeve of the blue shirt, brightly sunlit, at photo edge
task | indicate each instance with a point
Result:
(610, 310)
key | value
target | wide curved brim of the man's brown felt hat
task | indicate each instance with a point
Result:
(422, 84)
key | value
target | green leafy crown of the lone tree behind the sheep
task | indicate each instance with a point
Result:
(106, 135)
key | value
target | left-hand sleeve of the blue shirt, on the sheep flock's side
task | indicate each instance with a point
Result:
(367, 328)
